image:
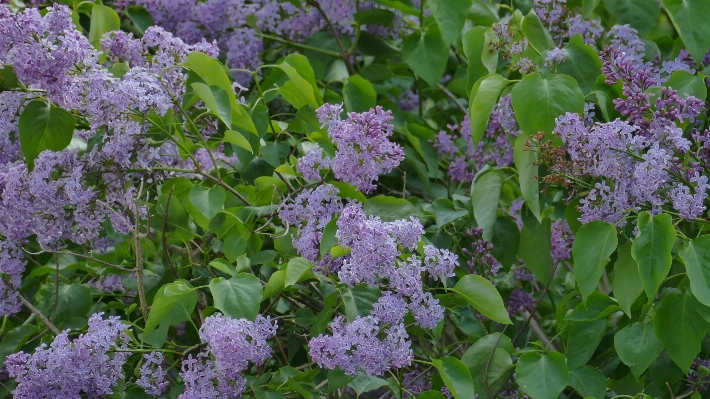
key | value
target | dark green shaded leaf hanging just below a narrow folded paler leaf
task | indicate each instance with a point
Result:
(535, 248)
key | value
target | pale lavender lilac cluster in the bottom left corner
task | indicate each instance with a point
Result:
(67, 368)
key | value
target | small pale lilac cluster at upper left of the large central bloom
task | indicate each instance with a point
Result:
(310, 212)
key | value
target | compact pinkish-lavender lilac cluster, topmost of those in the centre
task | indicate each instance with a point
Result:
(363, 148)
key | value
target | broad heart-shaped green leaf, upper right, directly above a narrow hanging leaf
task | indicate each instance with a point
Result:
(537, 101)
